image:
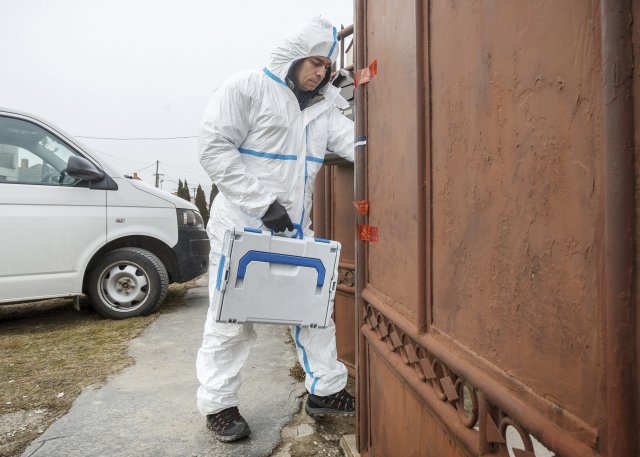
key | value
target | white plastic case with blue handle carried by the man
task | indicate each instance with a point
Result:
(268, 279)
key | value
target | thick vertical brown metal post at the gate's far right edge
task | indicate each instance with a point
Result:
(617, 287)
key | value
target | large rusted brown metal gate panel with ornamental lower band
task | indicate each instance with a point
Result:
(500, 299)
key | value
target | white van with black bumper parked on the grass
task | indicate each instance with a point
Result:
(70, 224)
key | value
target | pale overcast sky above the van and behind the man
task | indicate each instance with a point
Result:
(139, 68)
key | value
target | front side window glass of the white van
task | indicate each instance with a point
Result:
(31, 155)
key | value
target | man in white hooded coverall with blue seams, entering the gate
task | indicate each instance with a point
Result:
(262, 142)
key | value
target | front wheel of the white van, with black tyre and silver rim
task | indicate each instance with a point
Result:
(127, 282)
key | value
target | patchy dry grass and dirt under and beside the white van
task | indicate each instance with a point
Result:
(49, 352)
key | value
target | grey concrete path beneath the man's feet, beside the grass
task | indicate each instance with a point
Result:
(149, 408)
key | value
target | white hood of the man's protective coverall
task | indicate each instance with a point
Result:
(318, 37)
